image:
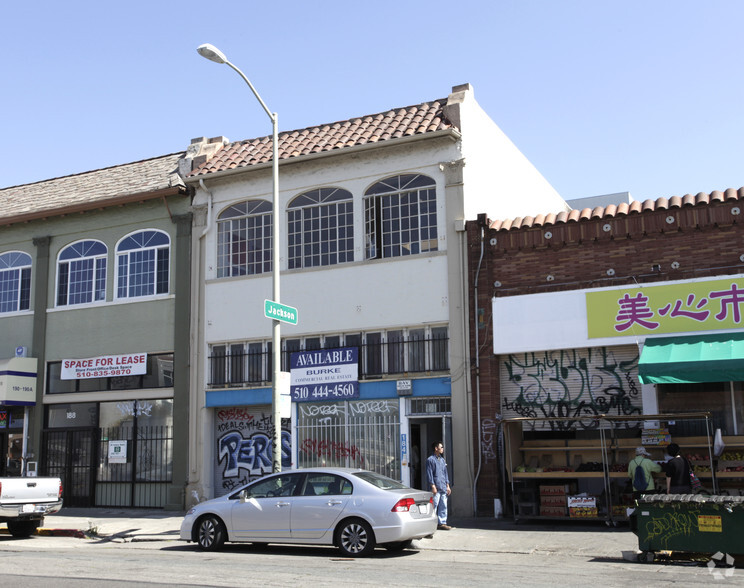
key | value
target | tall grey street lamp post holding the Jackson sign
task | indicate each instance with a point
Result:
(213, 54)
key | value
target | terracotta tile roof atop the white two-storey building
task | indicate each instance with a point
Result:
(423, 118)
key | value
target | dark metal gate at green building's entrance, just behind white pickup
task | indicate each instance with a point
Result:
(70, 456)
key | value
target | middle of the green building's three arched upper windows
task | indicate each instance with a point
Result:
(81, 273)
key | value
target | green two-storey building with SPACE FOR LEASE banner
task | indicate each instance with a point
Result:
(94, 312)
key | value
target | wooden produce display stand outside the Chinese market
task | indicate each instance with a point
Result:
(597, 465)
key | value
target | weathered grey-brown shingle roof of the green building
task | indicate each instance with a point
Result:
(89, 189)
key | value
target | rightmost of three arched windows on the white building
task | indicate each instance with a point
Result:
(400, 217)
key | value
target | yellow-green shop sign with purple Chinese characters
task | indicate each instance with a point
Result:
(673, 308)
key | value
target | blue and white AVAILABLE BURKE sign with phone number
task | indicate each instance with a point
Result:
(331, 374)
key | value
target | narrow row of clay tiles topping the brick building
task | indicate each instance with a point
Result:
(618, 210)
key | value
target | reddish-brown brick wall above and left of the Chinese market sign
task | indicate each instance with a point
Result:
(658, 244)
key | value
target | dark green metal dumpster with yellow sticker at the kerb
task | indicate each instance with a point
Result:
(690, 523)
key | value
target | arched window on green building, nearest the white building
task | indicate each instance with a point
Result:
(143, 264)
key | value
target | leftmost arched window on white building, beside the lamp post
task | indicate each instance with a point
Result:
(244, 244)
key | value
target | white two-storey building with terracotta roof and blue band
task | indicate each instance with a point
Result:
(373, 257)
